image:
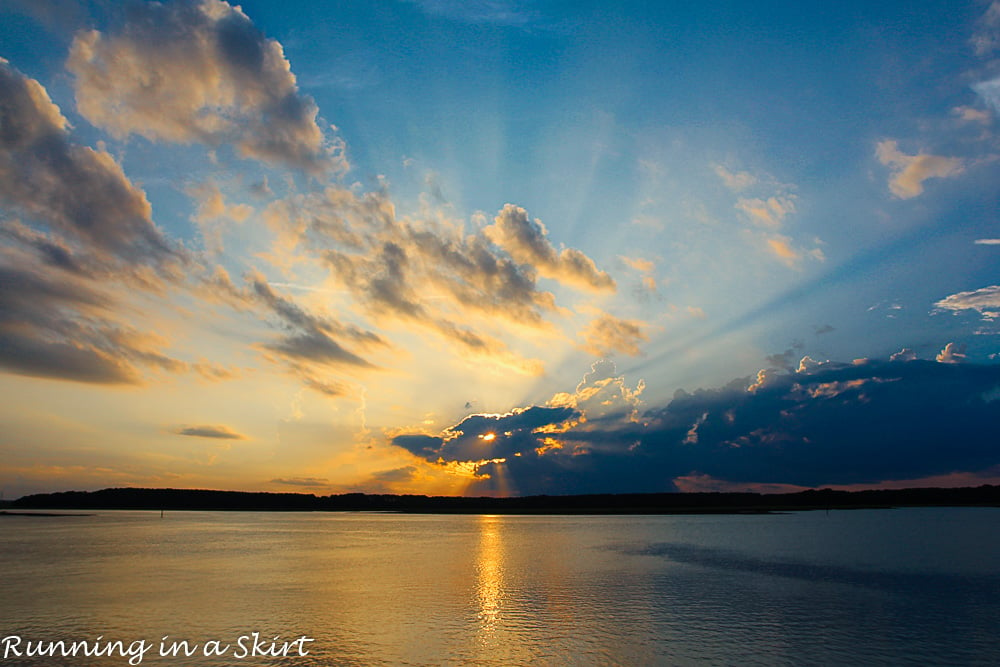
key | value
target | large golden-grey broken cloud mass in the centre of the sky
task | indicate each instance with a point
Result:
(424, 272)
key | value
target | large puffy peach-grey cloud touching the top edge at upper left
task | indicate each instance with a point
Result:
(198, 72)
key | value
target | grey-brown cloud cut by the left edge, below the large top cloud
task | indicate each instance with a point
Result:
(74, 189)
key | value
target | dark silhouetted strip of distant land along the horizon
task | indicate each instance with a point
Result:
(625, 503)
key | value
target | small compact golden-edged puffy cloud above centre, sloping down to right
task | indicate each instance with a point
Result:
(526, 241)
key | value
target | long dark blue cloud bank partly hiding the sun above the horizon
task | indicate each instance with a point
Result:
(828, 424)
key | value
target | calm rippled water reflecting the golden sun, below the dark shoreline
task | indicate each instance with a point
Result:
(906, 586)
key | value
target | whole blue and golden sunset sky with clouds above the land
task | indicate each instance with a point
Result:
(498, 247)
